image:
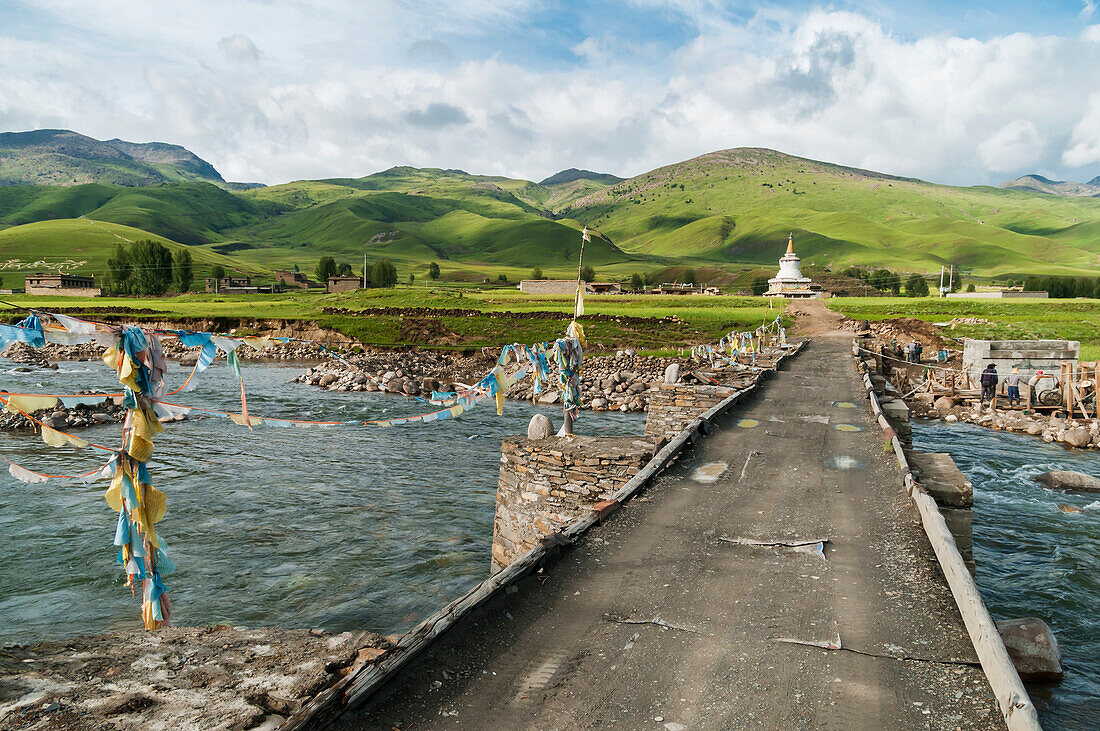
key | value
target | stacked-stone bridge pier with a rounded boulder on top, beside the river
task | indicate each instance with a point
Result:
(547, 484)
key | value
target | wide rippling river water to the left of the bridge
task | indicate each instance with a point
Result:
(335, 528)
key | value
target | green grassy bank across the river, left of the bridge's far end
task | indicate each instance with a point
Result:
(700, 319)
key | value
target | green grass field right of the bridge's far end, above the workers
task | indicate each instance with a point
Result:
(1013, 320)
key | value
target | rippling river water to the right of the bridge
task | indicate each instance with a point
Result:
(1032, 559)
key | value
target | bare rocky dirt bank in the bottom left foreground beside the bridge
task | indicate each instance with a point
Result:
(213, 678)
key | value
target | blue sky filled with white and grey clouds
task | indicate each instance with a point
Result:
(272, 91)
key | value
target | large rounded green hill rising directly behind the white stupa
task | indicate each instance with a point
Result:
(739, 206)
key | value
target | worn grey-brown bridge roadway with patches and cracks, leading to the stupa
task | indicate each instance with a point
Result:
(565, 651)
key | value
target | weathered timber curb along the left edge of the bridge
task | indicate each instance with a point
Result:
(361, 683)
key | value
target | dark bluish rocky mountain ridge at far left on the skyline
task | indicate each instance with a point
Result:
(63, 158)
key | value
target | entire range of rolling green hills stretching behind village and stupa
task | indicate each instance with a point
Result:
(725, 214)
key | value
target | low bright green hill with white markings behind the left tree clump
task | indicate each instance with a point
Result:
(80, 247)
